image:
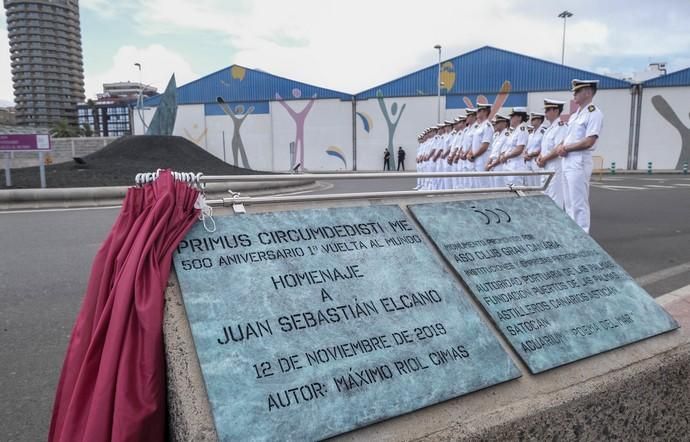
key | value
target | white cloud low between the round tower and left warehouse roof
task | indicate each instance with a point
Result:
(158, 63)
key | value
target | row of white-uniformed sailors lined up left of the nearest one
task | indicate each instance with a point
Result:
(472, 143)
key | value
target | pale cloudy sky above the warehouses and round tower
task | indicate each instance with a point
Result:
(354, 45)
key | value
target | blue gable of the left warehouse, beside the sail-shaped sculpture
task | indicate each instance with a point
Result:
(237, 84)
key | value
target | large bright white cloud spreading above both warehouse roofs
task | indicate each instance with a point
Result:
(356, 45)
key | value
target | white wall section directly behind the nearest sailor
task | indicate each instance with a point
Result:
(615, 104)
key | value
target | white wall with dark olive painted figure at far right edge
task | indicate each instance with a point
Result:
(660, 142)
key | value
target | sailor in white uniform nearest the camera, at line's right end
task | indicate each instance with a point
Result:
(584, 129)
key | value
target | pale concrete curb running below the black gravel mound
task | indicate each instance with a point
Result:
(100, 196)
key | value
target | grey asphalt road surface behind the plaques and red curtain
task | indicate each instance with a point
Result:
(643, 222)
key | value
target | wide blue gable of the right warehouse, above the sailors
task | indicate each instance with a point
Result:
(484, 70)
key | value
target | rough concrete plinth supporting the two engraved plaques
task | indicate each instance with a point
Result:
(638, 392)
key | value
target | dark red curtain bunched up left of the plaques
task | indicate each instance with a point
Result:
(112, 385)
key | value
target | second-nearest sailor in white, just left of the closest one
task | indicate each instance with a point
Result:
(548, 158)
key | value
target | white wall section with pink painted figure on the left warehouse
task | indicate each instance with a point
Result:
(328, 123)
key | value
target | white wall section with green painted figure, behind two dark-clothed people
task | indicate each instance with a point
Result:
(419, 113)
